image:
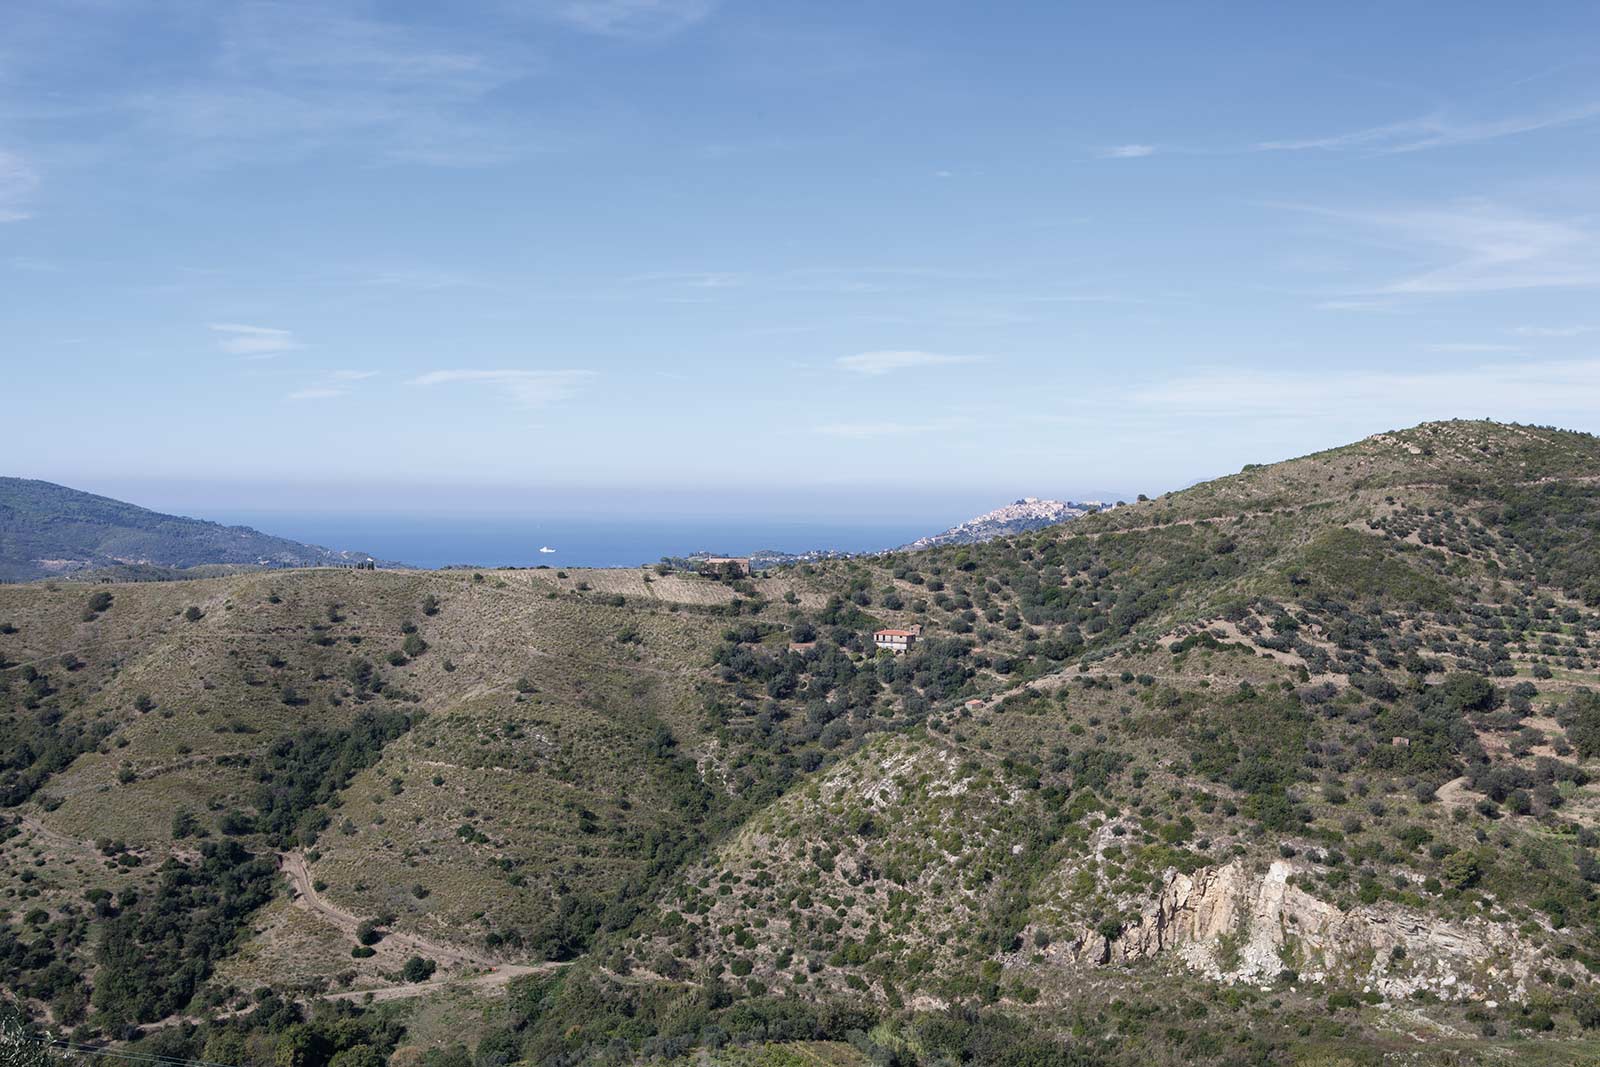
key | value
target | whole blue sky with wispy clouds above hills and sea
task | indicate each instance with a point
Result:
(812, 257)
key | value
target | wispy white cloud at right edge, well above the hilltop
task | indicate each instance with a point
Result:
(1482, 247)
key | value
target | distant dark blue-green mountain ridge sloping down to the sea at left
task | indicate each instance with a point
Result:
(50, 529)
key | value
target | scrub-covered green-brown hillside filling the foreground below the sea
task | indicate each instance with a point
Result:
(1290, 767)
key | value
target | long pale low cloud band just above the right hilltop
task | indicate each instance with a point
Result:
(1510, 390)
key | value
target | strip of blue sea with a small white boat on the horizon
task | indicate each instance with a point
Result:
(514, 541)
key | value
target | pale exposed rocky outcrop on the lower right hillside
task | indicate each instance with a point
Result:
(1244, 924)
